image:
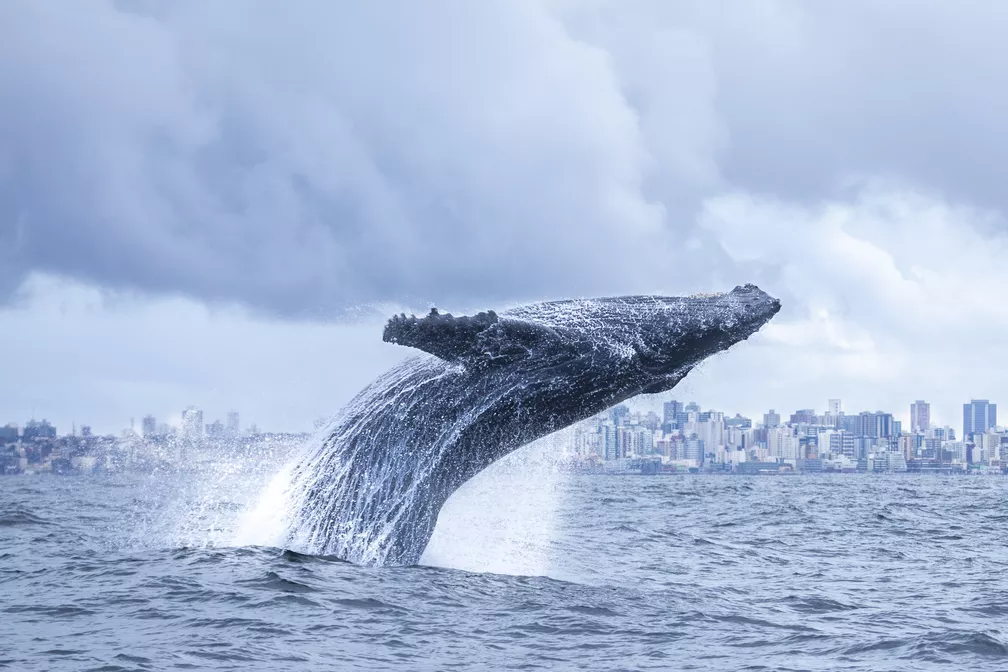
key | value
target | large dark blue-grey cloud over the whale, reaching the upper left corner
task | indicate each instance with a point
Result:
(304, 160)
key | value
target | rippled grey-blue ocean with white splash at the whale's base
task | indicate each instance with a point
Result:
(530, 569)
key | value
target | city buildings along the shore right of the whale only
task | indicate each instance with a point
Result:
(685, 438)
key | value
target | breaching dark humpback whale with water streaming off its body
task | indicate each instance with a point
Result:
(372, 487)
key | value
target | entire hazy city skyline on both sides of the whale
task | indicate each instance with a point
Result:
(684, 438)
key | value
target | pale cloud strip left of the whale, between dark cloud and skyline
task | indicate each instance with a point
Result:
(80, 355)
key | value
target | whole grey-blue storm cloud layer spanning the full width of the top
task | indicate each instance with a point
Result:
(305, 159)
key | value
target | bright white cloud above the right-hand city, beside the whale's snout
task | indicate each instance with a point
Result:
(891, 298)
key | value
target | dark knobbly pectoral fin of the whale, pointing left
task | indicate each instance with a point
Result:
(480, 340)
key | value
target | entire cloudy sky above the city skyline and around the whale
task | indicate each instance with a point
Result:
(219, 204)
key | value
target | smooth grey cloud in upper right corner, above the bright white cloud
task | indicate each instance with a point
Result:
(813, 94)
